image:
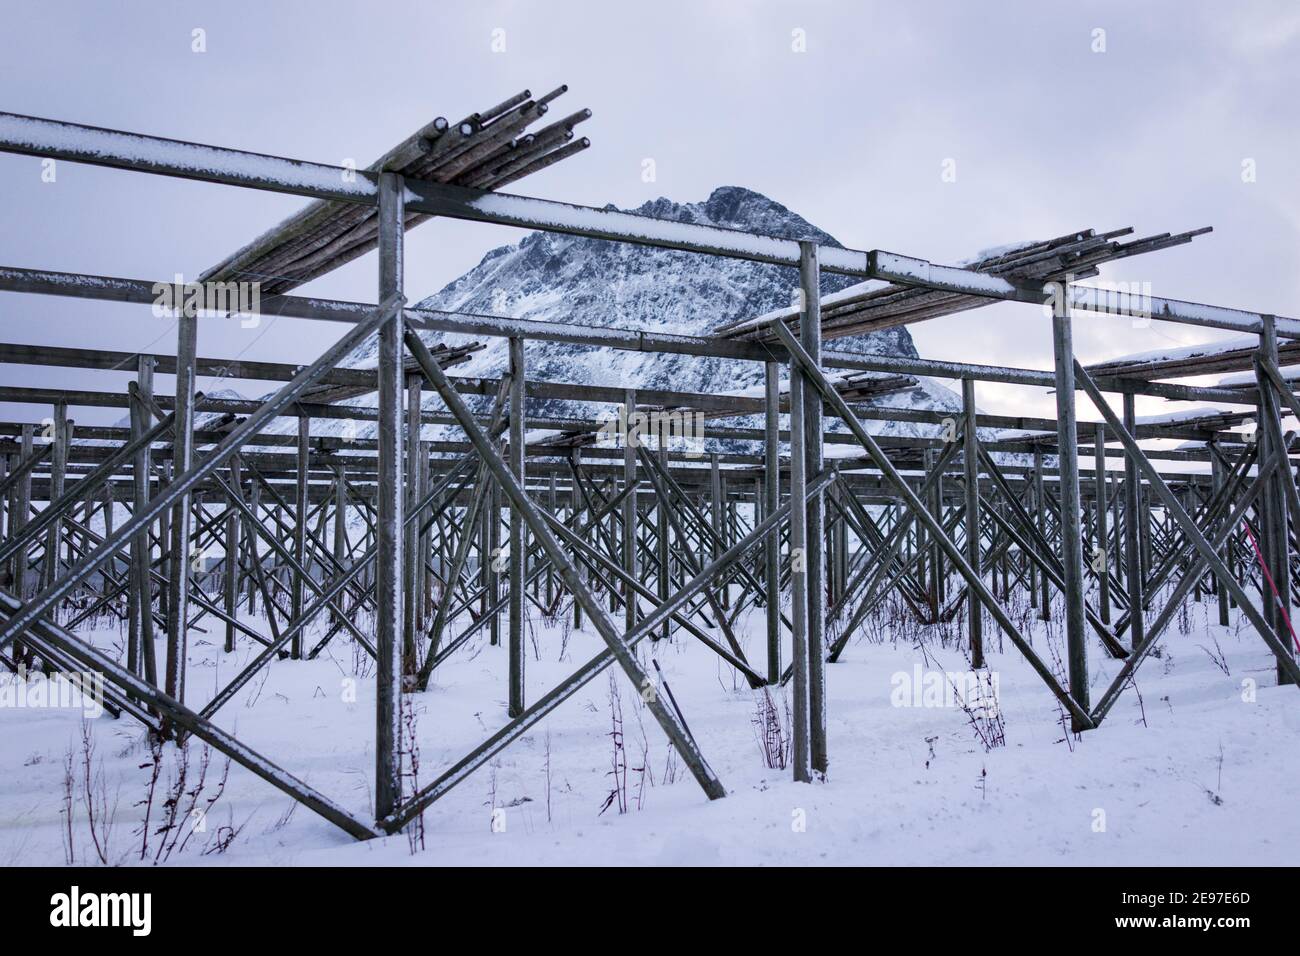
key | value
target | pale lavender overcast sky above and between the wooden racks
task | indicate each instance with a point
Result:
(1046, 135)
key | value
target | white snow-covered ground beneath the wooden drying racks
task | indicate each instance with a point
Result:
(1190, 773)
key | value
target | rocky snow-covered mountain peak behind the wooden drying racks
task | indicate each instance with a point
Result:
(552, 278)
